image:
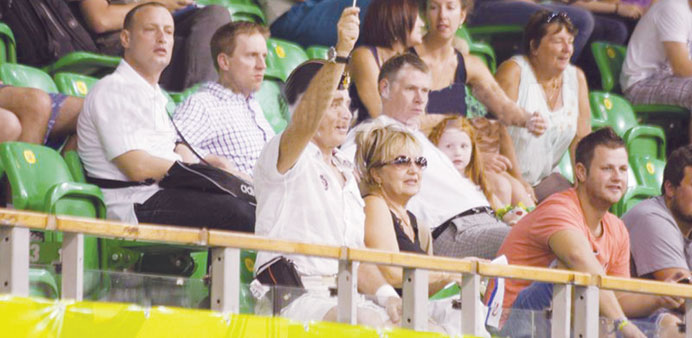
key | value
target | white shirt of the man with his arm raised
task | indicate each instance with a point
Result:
(307, 204)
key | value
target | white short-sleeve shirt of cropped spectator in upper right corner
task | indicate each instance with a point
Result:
(666, 20)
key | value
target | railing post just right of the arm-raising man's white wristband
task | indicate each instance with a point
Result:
(415, 301)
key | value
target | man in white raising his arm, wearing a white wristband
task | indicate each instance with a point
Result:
(306, 190)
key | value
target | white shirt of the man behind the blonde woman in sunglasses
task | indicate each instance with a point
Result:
(444, 192)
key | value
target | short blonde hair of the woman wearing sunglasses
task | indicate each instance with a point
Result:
(377, 144)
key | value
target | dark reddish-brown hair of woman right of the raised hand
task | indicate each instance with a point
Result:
(388, 21)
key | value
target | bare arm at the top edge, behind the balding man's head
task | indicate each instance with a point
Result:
(101, 16)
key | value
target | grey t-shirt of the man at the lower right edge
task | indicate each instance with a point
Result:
(656, 242)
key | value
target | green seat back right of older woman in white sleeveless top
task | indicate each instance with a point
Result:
(609, 59)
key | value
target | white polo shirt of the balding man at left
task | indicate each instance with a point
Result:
(123, 112)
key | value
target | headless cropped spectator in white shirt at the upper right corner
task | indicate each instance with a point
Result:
(658, 69)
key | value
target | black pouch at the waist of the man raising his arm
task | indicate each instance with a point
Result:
(281, 274)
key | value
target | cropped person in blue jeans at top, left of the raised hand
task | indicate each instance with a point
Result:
(307, 22)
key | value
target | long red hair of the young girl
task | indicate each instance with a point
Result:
(474, 170)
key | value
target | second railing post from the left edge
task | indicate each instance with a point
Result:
(72, 266)
